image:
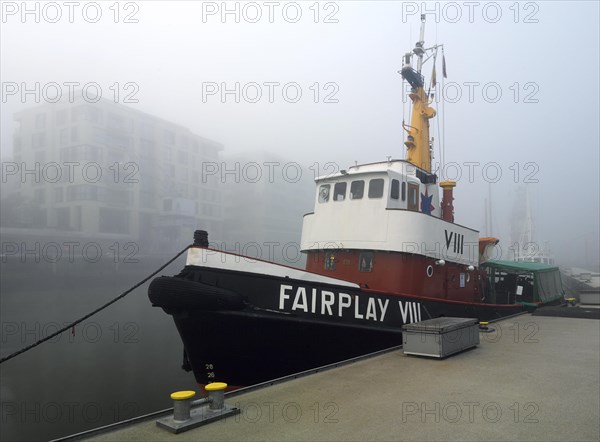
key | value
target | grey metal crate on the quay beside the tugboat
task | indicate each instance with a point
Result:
(440, 337)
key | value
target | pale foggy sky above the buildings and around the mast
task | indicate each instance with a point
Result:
(173, 62)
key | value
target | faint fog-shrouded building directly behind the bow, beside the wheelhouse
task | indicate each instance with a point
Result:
(265, 197)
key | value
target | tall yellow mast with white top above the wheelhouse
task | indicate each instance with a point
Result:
(417, 143)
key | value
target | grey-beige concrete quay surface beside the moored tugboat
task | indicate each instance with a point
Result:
(534, 378)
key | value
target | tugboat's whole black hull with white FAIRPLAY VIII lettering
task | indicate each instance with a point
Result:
(234, 330)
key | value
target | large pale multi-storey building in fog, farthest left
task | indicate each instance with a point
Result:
(107, 170)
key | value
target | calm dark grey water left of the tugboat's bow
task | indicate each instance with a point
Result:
(121, 363)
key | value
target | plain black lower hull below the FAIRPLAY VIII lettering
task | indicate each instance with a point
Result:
(244, 348)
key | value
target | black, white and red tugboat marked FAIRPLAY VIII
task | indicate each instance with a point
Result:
(382, 251)
